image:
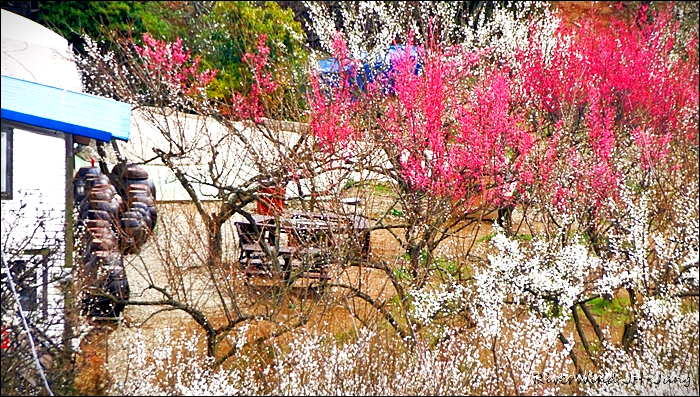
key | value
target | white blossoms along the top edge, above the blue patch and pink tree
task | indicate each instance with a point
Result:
(502, 33)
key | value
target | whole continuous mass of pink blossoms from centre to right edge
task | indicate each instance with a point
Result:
(565, 123)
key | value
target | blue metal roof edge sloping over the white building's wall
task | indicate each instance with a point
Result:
(66, 111)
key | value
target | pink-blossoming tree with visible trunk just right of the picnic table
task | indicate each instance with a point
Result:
(440, 127)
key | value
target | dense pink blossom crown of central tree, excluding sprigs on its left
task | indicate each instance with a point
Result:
(455, 146)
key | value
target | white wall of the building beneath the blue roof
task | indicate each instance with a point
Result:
(35, 216)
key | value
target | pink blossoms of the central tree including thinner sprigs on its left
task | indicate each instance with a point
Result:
(457, 141)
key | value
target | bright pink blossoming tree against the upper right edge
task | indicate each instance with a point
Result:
(610, 104)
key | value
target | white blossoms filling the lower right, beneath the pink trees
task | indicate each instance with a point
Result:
(660, 269)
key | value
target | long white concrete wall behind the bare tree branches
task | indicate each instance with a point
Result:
(235, 159)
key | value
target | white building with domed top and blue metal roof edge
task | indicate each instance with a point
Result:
(43, 113)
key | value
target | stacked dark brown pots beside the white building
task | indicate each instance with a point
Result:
(112, 221)
